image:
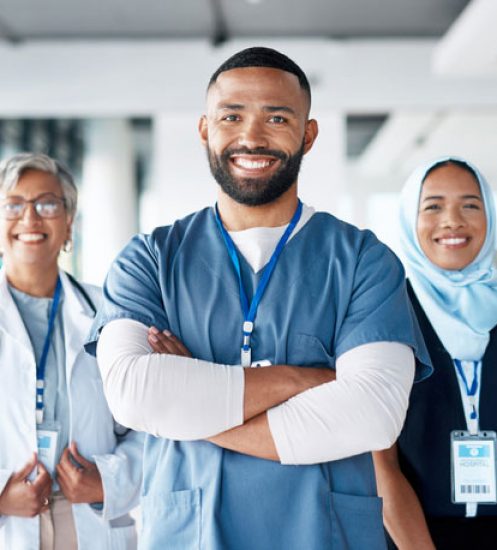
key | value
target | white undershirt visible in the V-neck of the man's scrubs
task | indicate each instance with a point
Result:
(258, 243)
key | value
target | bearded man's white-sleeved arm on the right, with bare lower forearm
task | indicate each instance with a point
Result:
(333, 420)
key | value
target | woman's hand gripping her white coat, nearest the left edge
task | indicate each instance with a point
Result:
(22, 497)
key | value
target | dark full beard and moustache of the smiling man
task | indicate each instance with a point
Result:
(255, 191)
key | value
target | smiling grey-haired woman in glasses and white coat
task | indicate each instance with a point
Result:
(69, 474)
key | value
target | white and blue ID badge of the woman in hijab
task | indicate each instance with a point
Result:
(473, 467)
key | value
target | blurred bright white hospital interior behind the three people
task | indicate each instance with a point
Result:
(115, 88)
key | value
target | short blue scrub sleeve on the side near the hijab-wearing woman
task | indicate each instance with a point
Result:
(379, 309)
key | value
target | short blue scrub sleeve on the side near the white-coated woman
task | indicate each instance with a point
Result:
(131, 290)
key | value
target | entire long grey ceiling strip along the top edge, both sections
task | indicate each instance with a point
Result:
(171, 19)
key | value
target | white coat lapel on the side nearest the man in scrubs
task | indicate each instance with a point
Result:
(77, 320)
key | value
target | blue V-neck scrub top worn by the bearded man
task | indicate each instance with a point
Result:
(334, 288)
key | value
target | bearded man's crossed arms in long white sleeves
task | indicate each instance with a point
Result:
(286, 413)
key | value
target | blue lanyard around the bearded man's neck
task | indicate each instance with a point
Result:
(249, 312)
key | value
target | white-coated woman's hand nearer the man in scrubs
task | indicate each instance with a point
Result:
(80, 484)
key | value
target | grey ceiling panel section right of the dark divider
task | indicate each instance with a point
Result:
(339, 19)
